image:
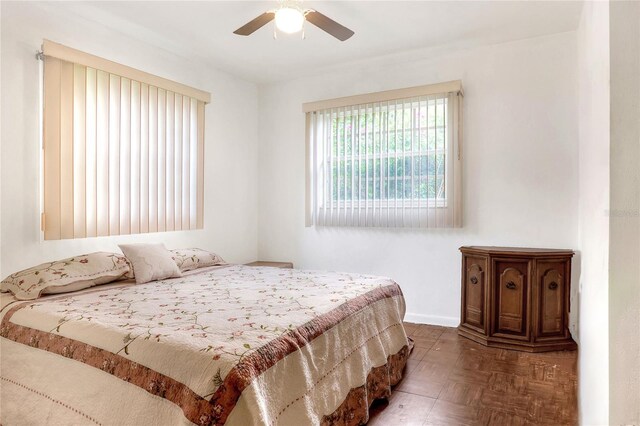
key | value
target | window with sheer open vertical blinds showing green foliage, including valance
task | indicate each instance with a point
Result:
(388, 159)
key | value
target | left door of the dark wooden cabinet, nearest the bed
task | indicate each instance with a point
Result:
(473, 292)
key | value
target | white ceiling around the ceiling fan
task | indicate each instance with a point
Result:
(205, 30)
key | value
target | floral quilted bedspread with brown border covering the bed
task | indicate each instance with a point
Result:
(231, 344)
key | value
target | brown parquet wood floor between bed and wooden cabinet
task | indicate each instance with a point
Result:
(450, 380)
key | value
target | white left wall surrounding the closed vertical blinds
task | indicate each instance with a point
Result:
(230, 139)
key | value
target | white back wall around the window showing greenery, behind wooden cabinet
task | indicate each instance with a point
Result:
(520, 167)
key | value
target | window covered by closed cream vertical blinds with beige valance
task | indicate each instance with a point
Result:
(123, 149)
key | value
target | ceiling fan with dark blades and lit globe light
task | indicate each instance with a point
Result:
(290, 18)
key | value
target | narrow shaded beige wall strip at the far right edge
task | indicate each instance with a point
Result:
(624, 249)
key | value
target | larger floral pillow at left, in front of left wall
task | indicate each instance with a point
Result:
(75, 273)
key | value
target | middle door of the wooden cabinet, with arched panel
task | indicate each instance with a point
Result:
(511, 289)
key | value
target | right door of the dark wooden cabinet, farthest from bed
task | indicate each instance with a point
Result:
(551, 298)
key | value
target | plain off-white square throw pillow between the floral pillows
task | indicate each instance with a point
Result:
(150, 262)
